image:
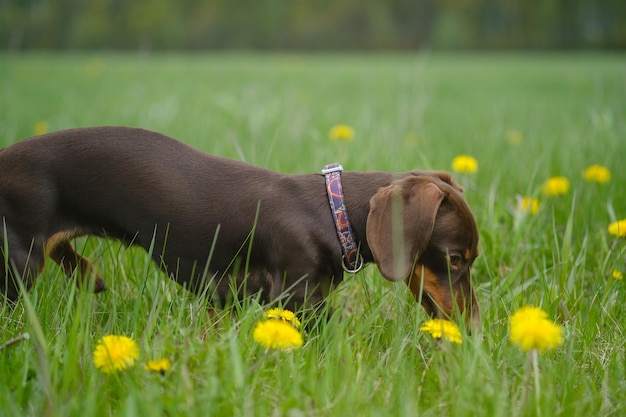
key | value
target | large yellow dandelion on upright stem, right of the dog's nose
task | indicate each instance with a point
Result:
(531, 329)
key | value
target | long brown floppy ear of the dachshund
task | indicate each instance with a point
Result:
(400, 223)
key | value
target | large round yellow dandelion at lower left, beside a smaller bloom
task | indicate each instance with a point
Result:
(115, 353)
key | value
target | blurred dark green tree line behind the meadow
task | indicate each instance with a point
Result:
(320, 24)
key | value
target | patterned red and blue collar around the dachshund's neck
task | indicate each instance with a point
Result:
(351, 261)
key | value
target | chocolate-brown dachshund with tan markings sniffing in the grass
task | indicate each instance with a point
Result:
(208, 218)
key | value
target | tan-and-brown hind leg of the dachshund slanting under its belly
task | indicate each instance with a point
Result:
(62, 252)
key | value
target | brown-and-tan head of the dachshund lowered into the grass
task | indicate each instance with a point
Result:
(421, 230)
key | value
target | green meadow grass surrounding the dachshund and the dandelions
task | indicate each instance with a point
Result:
(369, 359)
